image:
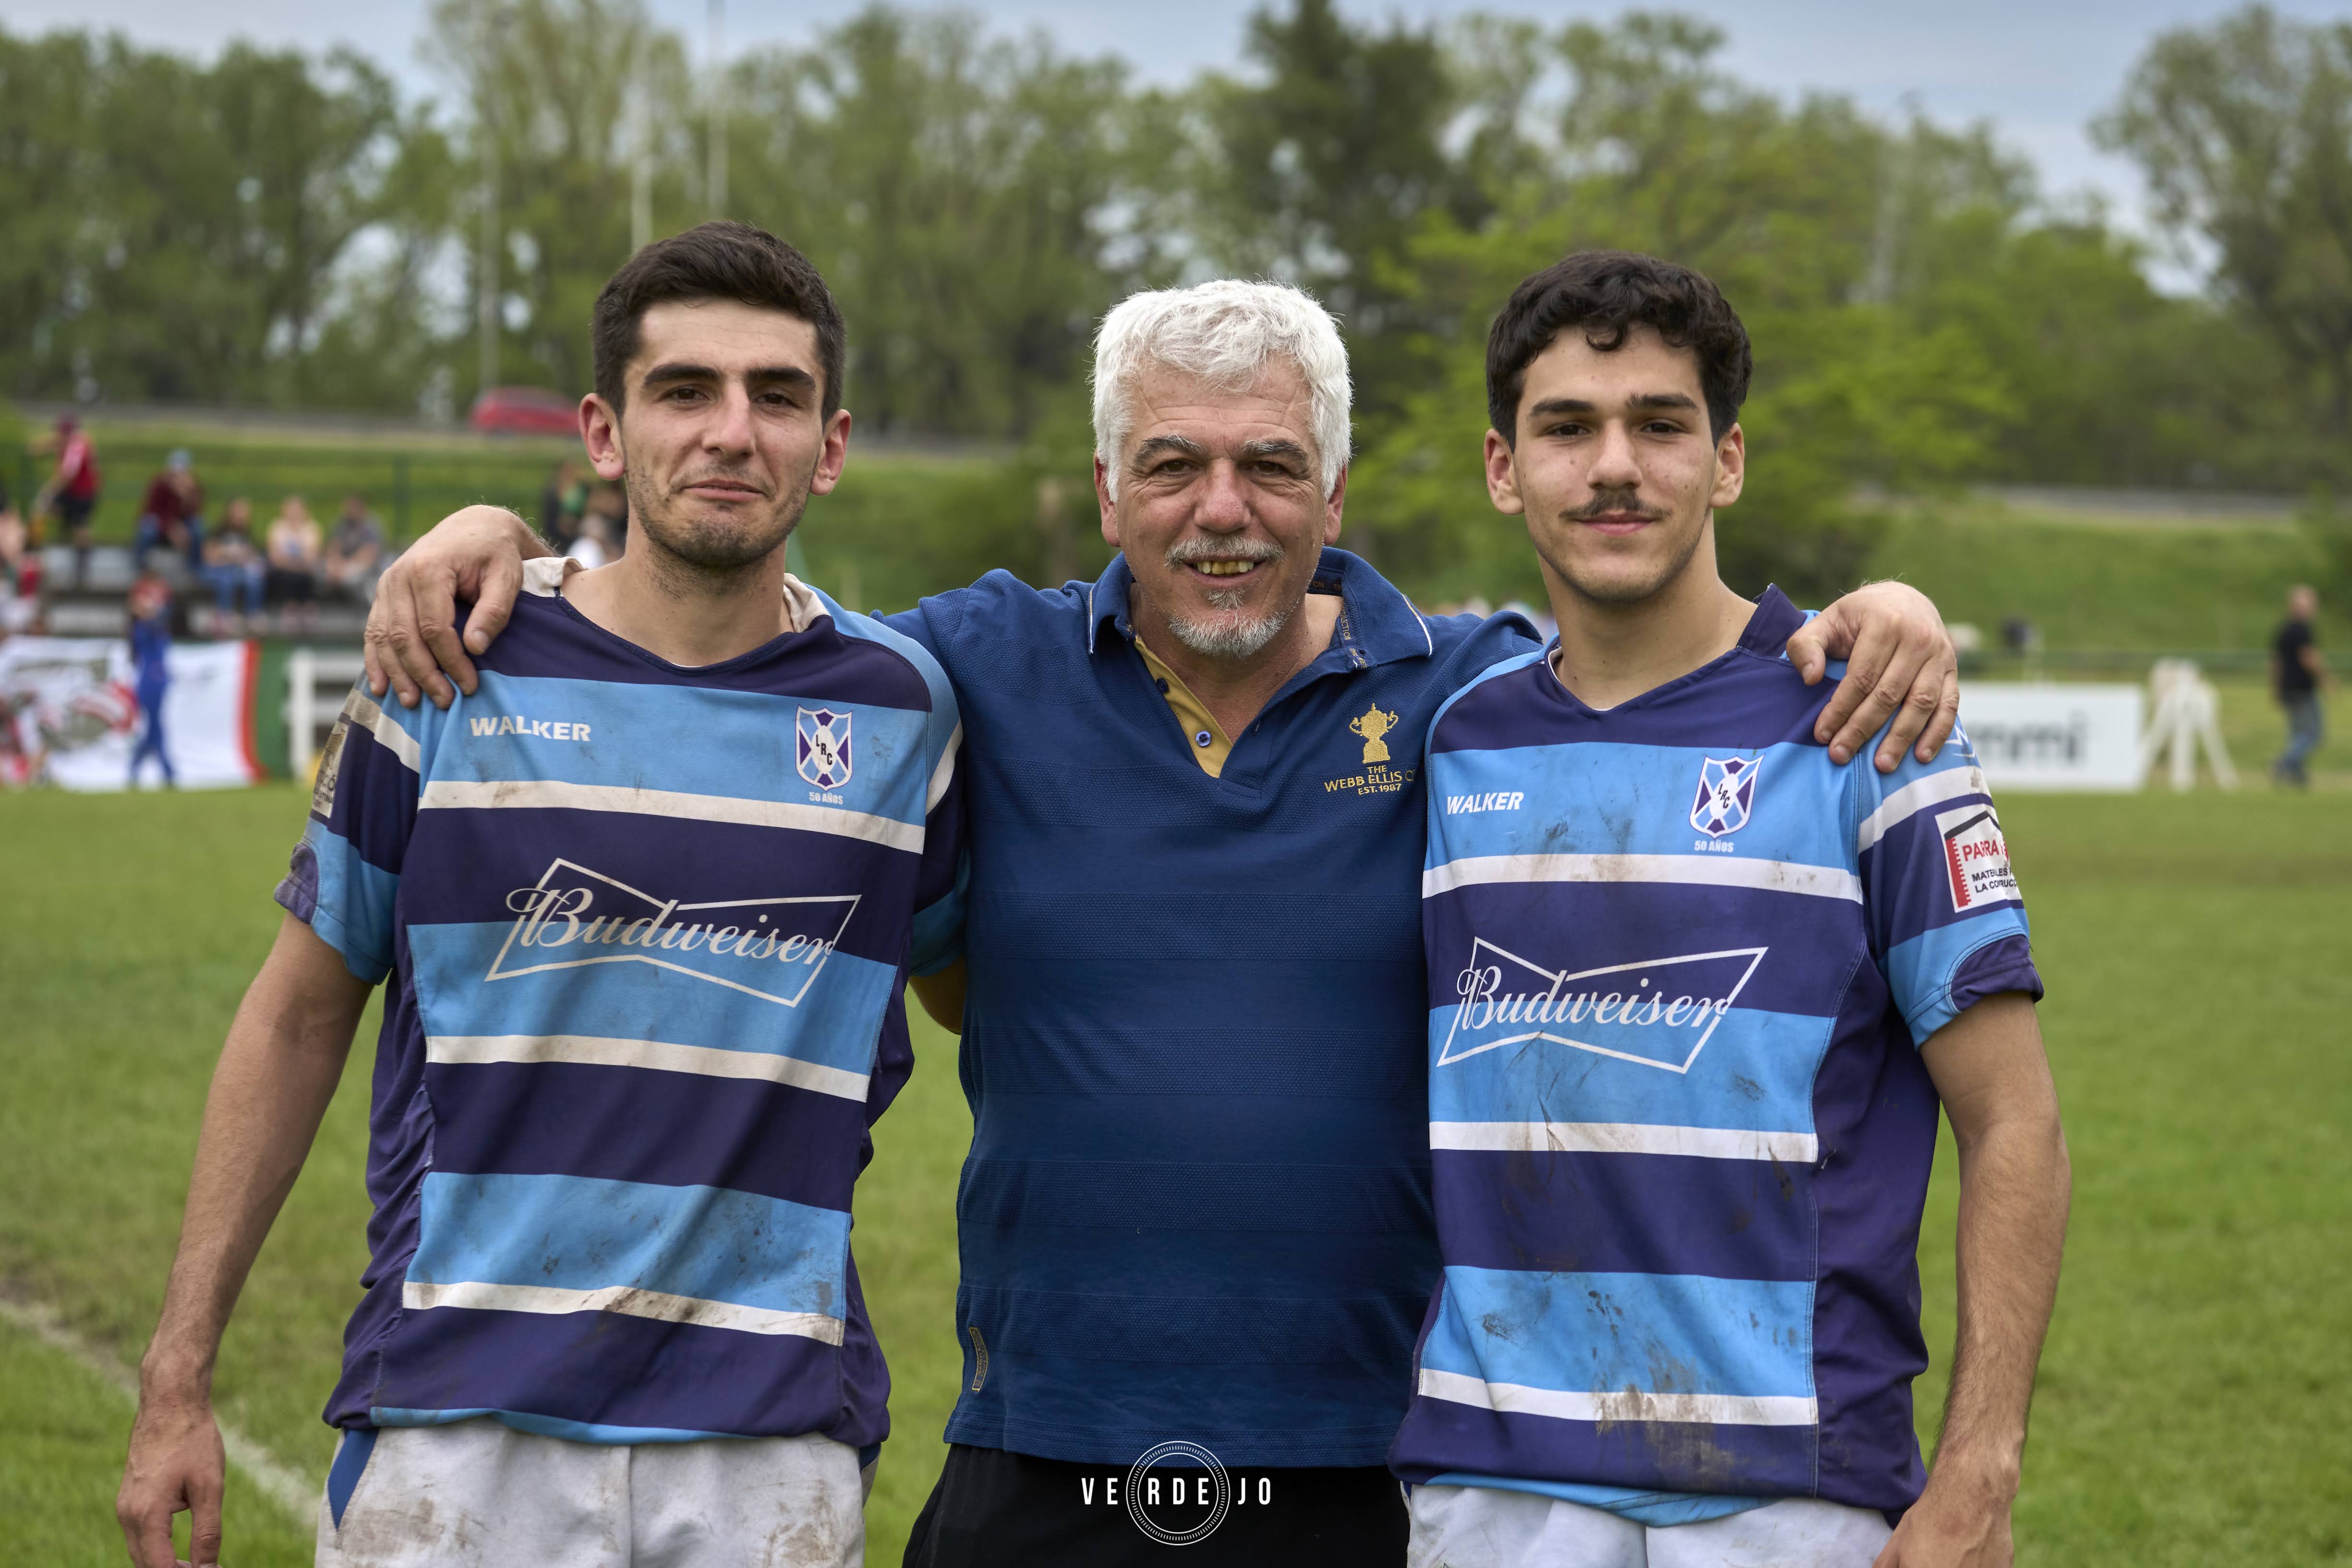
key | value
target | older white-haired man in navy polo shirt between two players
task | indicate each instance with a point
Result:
(1196, 1217)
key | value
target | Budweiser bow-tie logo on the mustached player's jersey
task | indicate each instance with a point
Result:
(1655, 1012)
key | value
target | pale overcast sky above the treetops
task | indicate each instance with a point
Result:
(2040, 72)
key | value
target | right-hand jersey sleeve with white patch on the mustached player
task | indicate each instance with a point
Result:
(1944, 906)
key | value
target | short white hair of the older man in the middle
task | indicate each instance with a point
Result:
(1222, 333)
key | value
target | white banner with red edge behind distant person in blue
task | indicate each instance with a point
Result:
(69, 713)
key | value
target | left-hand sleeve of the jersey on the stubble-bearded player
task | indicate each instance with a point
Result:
(363, 808)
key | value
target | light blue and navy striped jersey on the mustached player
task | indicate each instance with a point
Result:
(1681, 967)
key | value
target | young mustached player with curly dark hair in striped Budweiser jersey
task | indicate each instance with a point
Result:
(1695, 1000)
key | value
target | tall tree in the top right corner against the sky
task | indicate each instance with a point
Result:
(2245, 133)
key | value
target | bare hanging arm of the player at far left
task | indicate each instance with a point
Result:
(279, 1071)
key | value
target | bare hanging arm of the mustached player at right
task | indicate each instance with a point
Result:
(2014, 1191)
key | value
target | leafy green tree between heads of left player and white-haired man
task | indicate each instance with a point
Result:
(975, 206)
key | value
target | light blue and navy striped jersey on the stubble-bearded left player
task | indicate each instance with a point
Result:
(648, 934)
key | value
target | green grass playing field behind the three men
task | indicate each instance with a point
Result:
(2193, 1386)
